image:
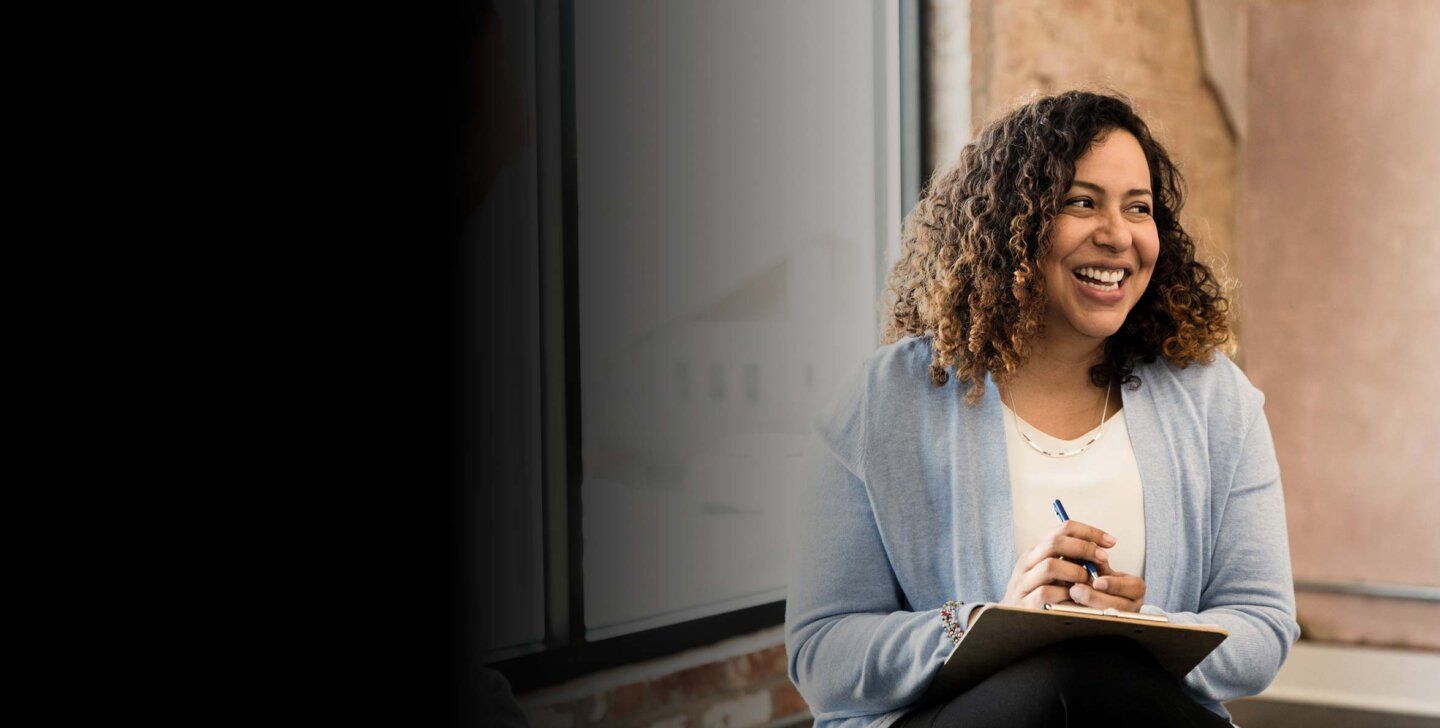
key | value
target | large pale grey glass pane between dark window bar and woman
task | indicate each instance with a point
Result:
(729, 165)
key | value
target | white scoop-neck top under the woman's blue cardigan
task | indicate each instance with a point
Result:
(1099, 487)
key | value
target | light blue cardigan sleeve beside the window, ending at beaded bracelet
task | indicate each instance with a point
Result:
(853, 645)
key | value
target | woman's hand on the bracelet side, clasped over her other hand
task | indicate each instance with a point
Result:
(1050, 572)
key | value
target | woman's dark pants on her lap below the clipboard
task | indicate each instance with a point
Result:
(1104, 681)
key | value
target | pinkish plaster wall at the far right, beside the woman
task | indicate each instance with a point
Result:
(1340, 258)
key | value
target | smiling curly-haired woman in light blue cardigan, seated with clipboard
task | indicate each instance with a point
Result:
(1049, 274)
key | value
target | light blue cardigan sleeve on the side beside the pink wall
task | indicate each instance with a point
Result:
(1249, 591)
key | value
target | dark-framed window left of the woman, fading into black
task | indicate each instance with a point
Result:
(688, 252)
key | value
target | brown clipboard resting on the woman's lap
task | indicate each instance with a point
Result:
(1004, 635)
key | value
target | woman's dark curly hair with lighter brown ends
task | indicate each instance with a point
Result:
(970, 268)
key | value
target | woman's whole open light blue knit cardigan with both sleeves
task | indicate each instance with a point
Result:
(905, 504)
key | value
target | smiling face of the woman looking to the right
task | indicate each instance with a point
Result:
(1104, 244)
